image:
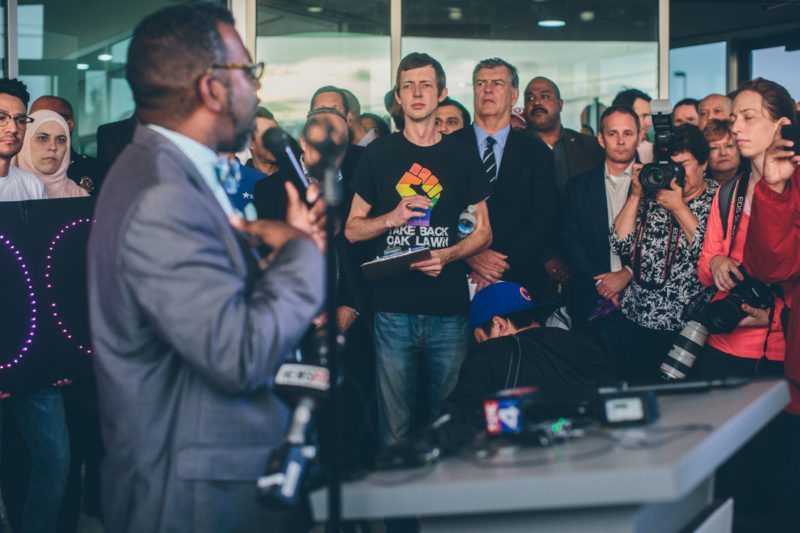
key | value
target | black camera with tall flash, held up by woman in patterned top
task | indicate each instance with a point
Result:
(659, 174)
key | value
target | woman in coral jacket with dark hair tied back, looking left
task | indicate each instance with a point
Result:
(757, 345)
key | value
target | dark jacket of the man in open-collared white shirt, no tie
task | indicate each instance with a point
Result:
(584, 237)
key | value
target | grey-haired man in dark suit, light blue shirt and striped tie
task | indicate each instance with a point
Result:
(522, 207)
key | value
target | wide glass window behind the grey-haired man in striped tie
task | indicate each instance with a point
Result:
(590, 49)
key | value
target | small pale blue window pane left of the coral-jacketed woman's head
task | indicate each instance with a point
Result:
(696, 71)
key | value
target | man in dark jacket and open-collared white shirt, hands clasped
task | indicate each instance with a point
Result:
(593, 200)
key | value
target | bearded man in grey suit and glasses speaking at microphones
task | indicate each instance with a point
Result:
(188, 329)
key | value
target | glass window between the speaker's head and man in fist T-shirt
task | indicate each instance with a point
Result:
(310, 44)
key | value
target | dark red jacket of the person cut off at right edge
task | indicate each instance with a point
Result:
(772, 254)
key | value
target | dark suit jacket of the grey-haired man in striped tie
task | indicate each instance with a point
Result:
(522, 208)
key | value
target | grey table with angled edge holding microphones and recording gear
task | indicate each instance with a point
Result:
(664, 488)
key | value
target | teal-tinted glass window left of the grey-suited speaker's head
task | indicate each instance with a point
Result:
(77, 50)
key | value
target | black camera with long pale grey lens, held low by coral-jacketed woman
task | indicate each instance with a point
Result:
(721, 316)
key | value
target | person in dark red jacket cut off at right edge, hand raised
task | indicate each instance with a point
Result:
(772, 253)
